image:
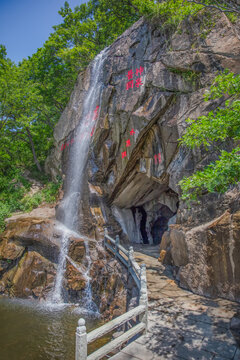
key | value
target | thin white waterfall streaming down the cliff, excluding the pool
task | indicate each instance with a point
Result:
(77, 163)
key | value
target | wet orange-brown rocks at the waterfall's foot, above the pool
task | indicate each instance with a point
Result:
(29, 251)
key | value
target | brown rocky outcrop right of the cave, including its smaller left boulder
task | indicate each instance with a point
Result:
(206, 256)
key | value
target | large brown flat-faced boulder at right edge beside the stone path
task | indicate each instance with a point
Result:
(213, 249)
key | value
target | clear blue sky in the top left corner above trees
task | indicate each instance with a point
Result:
(26, 24)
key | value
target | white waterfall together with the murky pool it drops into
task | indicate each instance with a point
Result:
(45, 330)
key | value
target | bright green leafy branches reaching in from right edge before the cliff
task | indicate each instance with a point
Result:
(211, 131)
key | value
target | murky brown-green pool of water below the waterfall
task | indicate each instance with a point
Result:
(33, 331)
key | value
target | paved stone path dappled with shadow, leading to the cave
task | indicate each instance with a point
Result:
(181, 325)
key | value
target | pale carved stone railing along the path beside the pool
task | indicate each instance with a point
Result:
(141, 311)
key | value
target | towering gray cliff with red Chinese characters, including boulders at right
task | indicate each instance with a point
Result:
(153, 81)
